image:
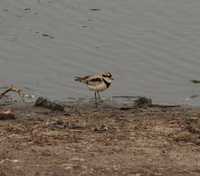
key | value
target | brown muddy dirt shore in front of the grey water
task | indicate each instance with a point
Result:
(103, 141)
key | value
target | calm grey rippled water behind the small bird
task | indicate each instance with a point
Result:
(150, 46)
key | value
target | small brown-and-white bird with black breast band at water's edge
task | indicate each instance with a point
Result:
(97, 83)
